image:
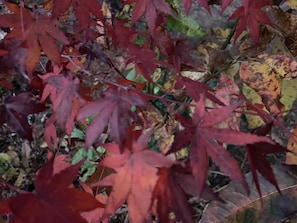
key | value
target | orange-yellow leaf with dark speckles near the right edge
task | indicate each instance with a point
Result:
(264, 76)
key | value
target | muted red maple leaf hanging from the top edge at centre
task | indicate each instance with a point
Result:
(149, 8)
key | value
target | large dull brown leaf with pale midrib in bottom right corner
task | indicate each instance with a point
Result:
(272, 207)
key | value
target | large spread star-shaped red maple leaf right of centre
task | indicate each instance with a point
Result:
(204, 140)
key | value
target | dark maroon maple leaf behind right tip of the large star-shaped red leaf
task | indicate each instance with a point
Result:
(256, 154)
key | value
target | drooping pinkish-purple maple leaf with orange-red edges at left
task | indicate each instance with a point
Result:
(63, 90)
